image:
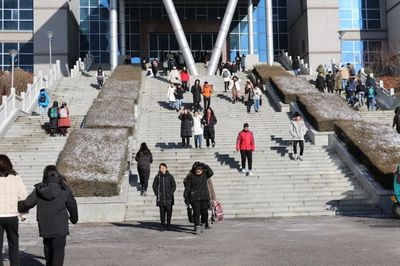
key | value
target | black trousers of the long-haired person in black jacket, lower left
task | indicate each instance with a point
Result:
(54, 250)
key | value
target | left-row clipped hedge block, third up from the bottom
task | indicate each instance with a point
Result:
(120, 89)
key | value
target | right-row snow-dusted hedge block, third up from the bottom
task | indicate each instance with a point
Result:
(288, 87)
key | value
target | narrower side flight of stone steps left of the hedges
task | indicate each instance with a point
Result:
(26, 143)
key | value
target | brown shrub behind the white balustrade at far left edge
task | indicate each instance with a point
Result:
(21, 80)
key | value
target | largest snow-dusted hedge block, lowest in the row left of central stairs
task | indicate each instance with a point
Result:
(94, 161)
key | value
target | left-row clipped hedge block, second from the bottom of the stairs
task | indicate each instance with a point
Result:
(111, 112)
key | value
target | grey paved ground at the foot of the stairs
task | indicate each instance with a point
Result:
(279, 241)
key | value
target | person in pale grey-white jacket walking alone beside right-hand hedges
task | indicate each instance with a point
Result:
(298, 130)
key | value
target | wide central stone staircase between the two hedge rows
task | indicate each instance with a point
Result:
(319, 185)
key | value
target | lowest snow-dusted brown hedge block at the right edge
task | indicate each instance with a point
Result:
(375, 145)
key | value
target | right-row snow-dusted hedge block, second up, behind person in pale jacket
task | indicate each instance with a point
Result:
(323, 110)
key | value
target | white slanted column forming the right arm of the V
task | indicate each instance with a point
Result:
(223, 33)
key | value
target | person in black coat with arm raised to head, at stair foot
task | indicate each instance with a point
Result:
(196, 194)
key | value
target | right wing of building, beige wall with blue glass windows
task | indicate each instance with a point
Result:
(343, 31)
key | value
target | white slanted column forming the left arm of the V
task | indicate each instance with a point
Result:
(180, 36)
